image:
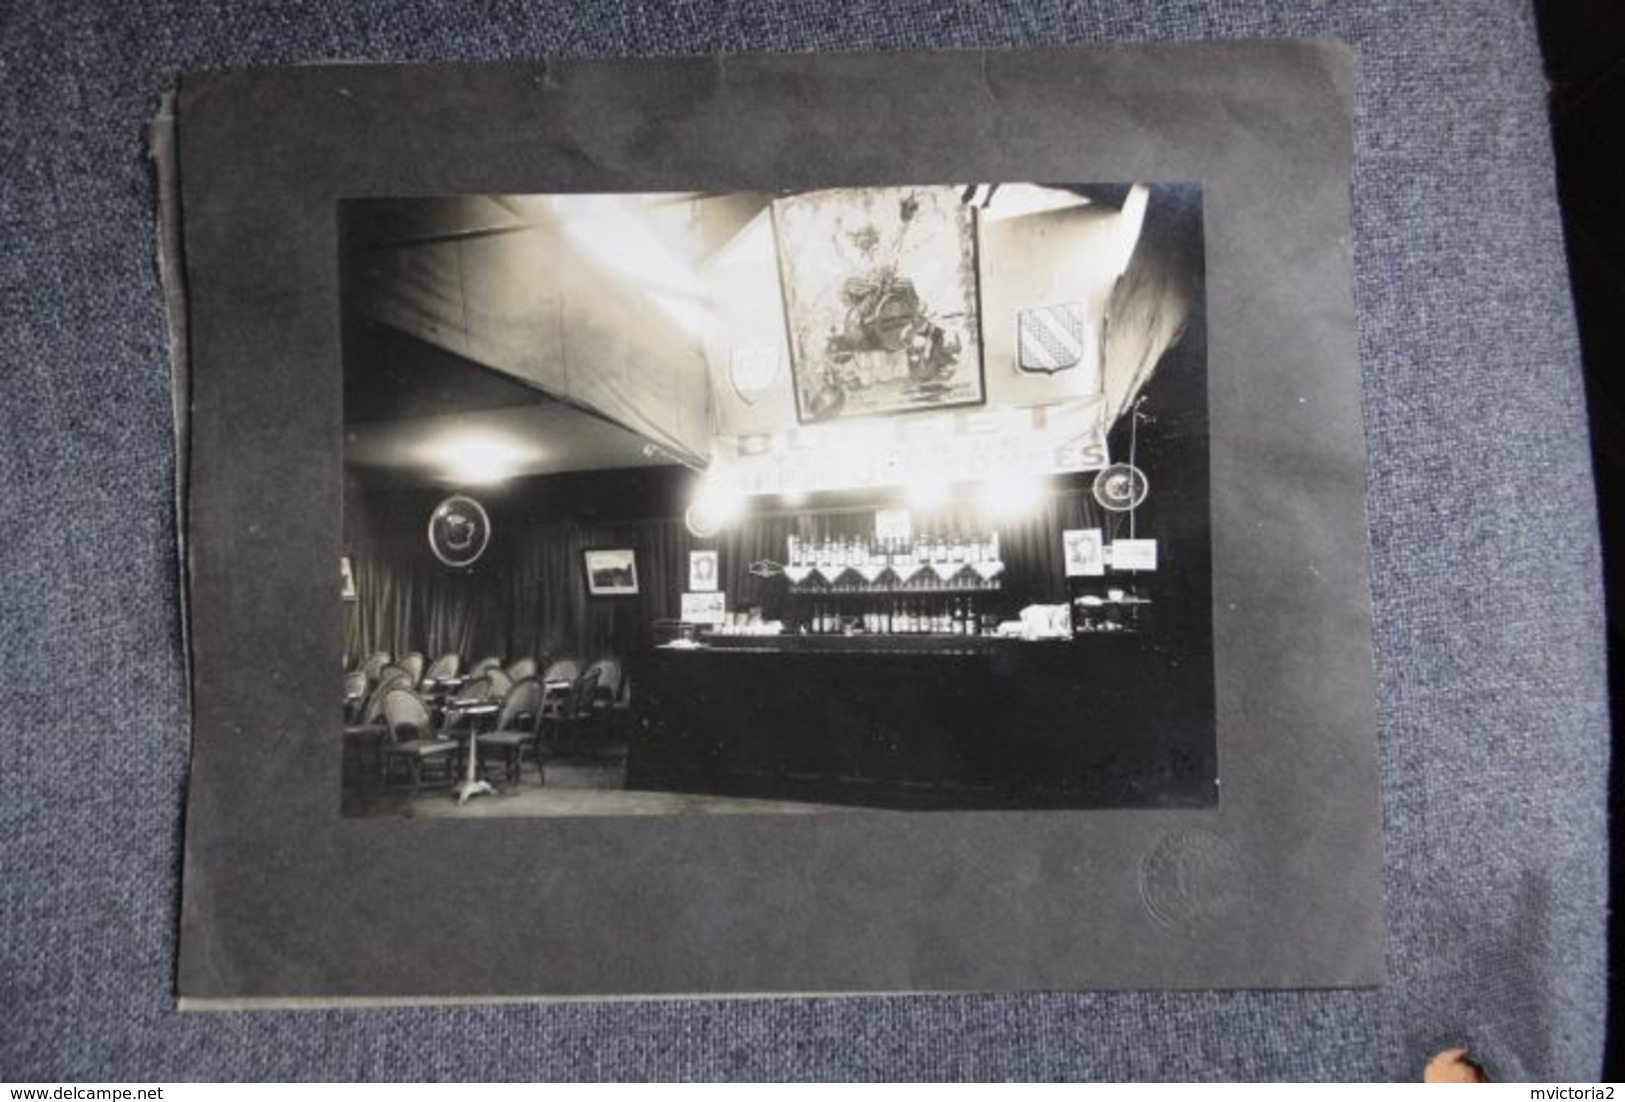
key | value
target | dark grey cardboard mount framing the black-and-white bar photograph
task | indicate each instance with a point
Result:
(1276, 887)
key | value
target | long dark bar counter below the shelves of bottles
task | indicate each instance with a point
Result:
(947, 722)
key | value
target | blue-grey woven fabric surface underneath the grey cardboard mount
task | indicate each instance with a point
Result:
(1489, 612)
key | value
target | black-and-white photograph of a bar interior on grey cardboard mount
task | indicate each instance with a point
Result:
(778, 501)
